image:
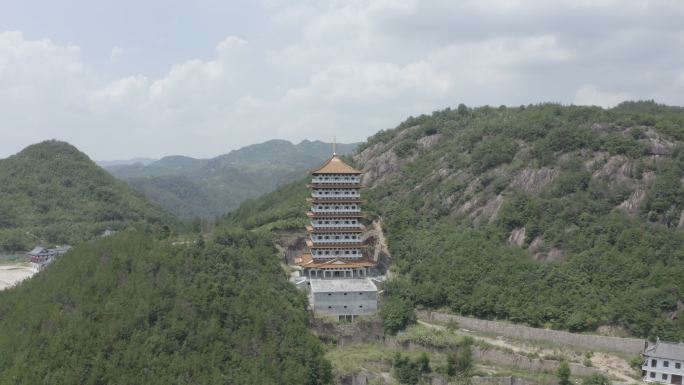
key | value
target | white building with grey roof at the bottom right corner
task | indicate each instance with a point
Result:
(664, 362)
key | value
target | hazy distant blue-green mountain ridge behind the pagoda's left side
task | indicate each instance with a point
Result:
(191, 187)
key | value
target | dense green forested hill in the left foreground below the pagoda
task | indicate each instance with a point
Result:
(133, 309)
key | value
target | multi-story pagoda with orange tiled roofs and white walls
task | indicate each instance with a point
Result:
(335, 248)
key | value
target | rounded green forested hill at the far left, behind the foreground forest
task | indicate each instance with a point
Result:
(52, 193)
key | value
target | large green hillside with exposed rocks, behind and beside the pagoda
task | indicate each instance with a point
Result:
(557, 216)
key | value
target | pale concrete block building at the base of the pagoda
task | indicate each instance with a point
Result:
(343, 298)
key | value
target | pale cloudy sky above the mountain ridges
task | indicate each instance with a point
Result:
(122, 79)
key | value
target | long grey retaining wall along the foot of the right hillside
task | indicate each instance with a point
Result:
(593, 342)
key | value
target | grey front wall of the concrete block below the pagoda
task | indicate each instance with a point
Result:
(356, 302)
